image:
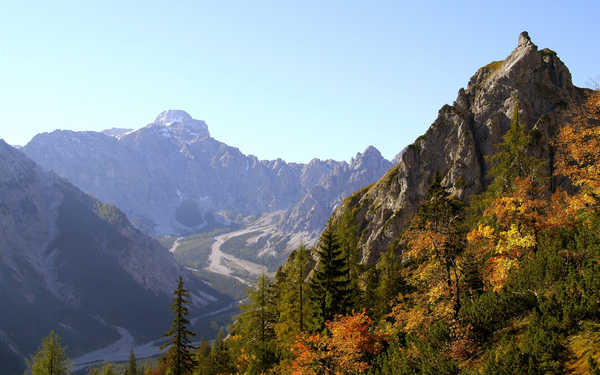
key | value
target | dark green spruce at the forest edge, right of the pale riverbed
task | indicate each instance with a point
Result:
(329, 284)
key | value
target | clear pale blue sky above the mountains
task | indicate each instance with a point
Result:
(289, 79)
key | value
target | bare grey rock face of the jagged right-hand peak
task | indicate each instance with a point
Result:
(458, 141)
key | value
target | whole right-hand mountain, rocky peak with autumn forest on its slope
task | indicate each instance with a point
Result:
(509, 285)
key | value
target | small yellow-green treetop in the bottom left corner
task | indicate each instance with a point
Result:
(50, 359)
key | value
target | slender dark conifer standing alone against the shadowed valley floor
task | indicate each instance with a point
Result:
(180, 357)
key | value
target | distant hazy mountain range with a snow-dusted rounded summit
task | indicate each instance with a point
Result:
(171, 177)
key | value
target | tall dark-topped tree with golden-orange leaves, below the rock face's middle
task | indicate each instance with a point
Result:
(434, 241)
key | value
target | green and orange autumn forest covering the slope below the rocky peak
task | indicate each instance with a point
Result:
(506, 283)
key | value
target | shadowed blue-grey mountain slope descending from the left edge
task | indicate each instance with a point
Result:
(73, 264)
